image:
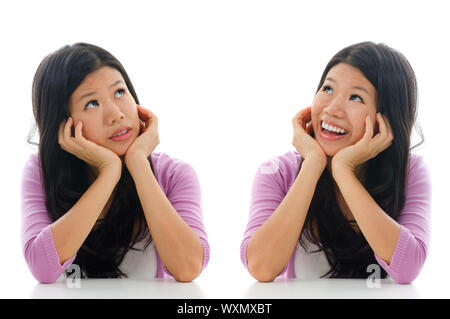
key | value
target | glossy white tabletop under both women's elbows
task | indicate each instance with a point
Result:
(238, 289)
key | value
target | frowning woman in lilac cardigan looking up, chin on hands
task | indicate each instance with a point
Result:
(97, 194)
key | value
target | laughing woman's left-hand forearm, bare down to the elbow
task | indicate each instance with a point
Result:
(272, 244)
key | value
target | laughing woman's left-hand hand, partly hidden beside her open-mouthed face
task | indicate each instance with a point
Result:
(303, 141)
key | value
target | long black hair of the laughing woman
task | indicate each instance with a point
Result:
(347, 250)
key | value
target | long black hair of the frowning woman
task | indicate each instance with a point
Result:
(65, 177)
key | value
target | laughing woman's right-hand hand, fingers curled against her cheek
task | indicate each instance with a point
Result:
(367, 147)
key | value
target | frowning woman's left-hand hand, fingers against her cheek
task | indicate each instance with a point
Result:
(95, 155)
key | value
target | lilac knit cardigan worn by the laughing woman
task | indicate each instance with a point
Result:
(275, 177)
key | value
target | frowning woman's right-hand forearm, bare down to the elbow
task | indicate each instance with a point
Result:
(178, 245)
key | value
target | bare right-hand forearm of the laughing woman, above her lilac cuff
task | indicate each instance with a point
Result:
(379, 229)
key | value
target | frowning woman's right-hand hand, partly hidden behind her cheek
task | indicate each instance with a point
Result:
(148, 137)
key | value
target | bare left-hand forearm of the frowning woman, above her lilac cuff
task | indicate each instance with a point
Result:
(71, 230)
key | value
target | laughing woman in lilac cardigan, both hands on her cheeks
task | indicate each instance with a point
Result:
(352, 196)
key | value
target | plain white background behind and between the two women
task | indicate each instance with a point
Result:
(225, 79)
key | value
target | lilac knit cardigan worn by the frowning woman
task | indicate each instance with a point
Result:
(177, 179)
